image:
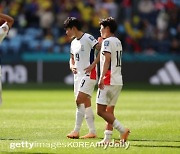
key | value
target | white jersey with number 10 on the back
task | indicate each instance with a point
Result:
(113, 75)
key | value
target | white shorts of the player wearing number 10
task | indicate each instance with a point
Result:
(108, 95)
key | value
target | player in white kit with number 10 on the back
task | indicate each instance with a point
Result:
(110, 82)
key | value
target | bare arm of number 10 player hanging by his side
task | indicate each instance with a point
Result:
(105, 69)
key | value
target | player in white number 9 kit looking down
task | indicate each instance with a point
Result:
(82, 56)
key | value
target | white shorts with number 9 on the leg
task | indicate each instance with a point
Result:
(83, 84)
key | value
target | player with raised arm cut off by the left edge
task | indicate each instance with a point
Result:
(6, 23)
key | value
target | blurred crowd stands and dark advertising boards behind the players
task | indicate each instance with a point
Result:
(37, 49)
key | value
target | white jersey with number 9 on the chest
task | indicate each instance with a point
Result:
(84, 54)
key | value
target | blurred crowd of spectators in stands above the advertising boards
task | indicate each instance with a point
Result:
(139, 23)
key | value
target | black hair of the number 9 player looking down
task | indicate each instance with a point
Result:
(72, 22)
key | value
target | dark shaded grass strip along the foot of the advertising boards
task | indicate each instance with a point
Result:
(62, 86)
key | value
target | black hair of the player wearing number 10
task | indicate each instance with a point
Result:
(110, 22)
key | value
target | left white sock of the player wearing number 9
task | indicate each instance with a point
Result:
(80, 112)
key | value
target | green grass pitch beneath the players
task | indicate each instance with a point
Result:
(43, 115)
